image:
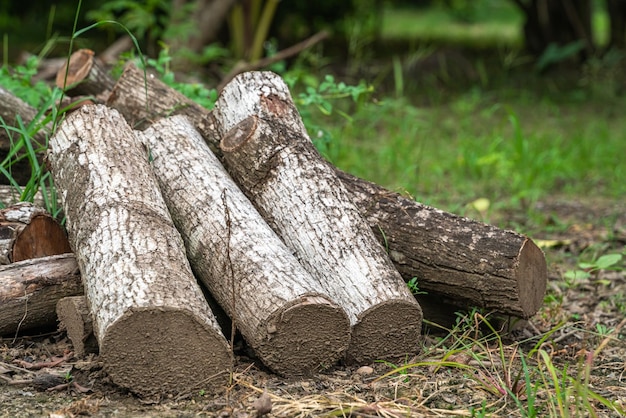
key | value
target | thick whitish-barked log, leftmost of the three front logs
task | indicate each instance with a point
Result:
(154, 328)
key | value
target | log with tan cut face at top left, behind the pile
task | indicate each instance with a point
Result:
(85, 75)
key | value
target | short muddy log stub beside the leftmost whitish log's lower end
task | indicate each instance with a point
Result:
(75, 318)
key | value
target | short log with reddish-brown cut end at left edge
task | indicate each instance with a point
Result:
(28, 231)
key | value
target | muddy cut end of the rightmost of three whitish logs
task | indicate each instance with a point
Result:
(388, 331)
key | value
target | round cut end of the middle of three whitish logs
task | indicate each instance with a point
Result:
(306, 336)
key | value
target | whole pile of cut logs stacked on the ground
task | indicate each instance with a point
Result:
(165, 200)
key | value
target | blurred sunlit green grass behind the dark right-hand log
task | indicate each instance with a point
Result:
(511, 151)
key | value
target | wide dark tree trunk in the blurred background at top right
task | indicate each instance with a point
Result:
(559, 22)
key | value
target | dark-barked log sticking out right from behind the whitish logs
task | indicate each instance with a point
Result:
(466, 262)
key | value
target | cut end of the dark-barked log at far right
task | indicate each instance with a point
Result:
(532, 276)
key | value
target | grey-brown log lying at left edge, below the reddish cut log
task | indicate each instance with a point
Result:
(30, 289)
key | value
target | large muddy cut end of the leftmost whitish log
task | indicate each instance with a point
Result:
(148, 351)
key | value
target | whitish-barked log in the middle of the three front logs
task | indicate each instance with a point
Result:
(280, 310)
